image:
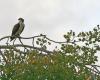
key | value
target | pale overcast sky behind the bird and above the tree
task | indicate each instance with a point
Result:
(51, 17)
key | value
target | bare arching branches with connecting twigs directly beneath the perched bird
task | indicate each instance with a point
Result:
(26, 46)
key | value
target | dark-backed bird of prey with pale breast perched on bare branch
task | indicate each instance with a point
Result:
(17, 29)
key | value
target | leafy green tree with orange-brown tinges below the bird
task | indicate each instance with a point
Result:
(70, 62)
